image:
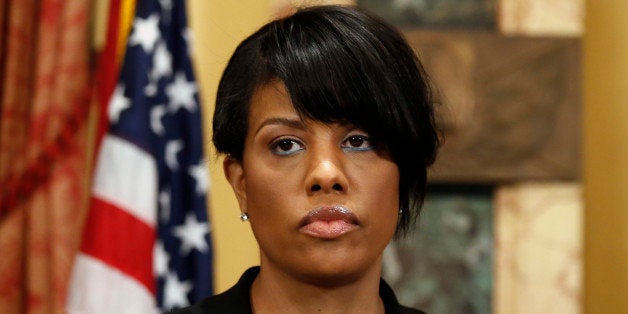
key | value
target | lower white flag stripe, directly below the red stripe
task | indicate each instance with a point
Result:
(98, 288)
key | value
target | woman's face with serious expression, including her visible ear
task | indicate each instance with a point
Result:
(321, 199)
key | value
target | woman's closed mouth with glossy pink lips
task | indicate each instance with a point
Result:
(328, 222)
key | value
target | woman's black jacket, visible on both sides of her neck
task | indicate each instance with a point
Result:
(237, 300)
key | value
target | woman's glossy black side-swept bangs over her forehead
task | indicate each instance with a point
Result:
(331, 76)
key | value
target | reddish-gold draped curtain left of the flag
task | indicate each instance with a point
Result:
(44, 160)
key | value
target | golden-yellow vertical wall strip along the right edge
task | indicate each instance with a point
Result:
(606, 156)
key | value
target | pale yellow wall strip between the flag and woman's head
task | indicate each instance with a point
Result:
(218, 27)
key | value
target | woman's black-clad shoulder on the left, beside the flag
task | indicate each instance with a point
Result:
(235, 300)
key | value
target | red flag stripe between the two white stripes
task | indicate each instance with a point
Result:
(120, 240)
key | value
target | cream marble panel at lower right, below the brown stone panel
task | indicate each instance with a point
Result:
(538, 248)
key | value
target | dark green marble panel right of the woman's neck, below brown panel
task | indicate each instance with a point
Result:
(445, 266)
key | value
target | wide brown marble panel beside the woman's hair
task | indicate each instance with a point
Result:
(510, 106)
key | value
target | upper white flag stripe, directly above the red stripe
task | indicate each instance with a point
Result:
(118, 161)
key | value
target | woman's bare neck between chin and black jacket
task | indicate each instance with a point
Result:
(275, 291)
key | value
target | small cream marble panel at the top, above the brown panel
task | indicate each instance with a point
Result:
(541, 17)
